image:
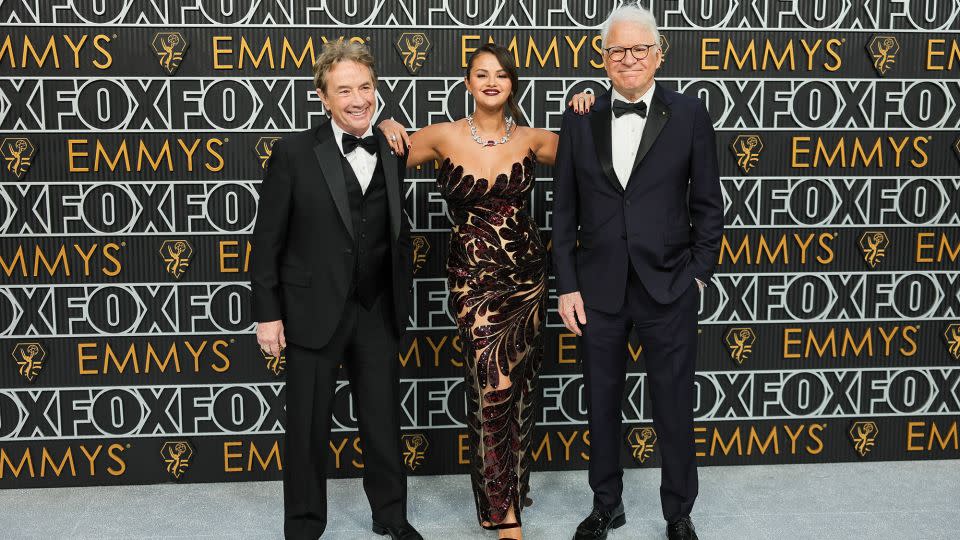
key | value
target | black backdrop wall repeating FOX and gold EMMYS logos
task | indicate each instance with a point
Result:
(134, 134)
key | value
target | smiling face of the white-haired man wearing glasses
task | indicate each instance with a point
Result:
(631, 77)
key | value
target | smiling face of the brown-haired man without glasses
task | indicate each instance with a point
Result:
(350, 96)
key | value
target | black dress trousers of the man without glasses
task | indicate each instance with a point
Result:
(366, 344)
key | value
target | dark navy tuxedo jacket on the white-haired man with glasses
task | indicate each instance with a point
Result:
(667, 223)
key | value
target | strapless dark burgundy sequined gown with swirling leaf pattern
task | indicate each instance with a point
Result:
(496, 274)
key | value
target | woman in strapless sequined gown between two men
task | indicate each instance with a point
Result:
(496, 273)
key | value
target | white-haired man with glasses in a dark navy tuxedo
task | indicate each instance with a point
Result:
(638, 175)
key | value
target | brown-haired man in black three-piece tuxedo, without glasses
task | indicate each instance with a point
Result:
(330, 274)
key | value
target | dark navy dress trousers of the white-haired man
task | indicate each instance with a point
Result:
(668, 335)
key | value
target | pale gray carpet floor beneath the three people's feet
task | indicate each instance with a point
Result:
(895, 500)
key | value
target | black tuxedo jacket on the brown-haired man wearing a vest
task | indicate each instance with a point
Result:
(303, 257)
